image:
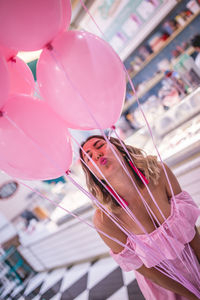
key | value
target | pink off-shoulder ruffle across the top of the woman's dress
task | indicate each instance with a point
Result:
(166, 242)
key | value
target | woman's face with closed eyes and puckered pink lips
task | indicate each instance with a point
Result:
(101, 154)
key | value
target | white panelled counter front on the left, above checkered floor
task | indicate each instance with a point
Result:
(73, 242)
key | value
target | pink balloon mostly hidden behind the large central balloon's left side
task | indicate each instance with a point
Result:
(21, 77)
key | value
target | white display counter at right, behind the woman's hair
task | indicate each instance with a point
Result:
(174, 137)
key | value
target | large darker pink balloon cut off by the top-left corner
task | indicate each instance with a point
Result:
(30, 24)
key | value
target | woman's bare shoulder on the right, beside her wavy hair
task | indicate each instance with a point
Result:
(172, 179)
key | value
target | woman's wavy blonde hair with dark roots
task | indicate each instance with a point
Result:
(147, 164)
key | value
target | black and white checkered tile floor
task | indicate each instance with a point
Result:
(100, 280)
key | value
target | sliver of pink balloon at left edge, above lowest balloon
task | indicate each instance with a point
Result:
(4, 81)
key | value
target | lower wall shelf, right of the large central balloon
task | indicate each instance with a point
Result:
(152, 82)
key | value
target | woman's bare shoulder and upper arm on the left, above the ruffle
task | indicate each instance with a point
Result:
(103, 223)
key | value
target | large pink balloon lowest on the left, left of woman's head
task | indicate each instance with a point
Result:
(50, 153)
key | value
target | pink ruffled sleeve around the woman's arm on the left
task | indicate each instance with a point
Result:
(127, 259)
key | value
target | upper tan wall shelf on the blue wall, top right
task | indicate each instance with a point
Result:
(168, 41)
